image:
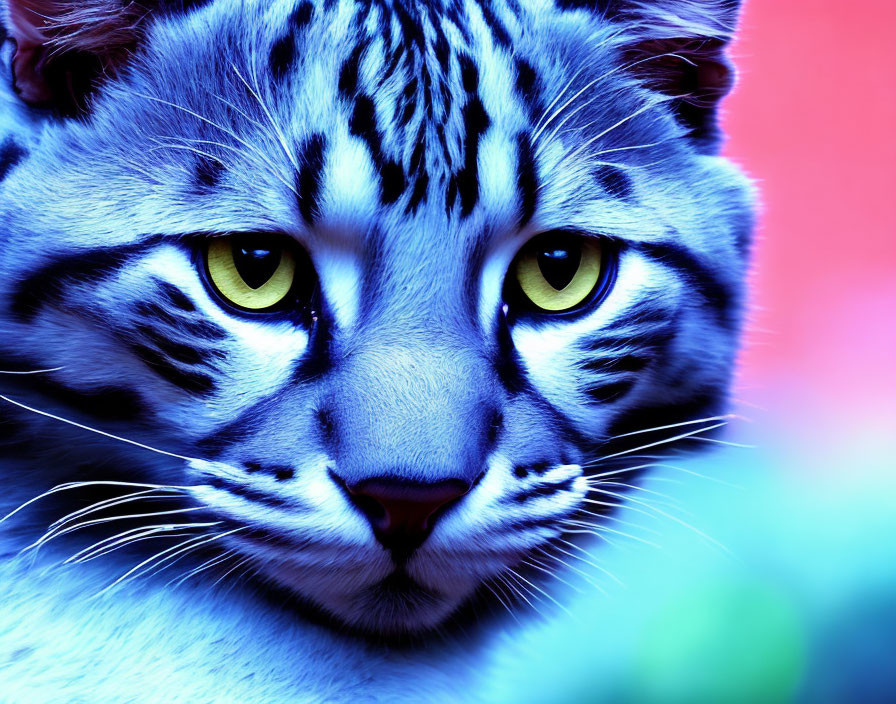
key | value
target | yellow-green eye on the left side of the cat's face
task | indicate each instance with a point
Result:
(252, 272)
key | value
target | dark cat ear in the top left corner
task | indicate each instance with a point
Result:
(64, 47)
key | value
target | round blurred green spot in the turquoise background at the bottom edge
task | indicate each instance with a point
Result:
(722, 643)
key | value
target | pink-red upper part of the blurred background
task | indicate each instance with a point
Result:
(812, 119)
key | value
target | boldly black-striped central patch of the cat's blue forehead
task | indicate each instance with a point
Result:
(394, 104)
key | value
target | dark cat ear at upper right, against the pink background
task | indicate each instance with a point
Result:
(680, 49)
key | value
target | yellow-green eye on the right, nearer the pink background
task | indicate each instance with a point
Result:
(558, 271)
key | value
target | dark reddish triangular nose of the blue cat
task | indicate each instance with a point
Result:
(403, 513)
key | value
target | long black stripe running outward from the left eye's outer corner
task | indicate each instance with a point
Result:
(47, 284)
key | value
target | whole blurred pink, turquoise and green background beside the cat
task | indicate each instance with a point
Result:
(800, 603)
